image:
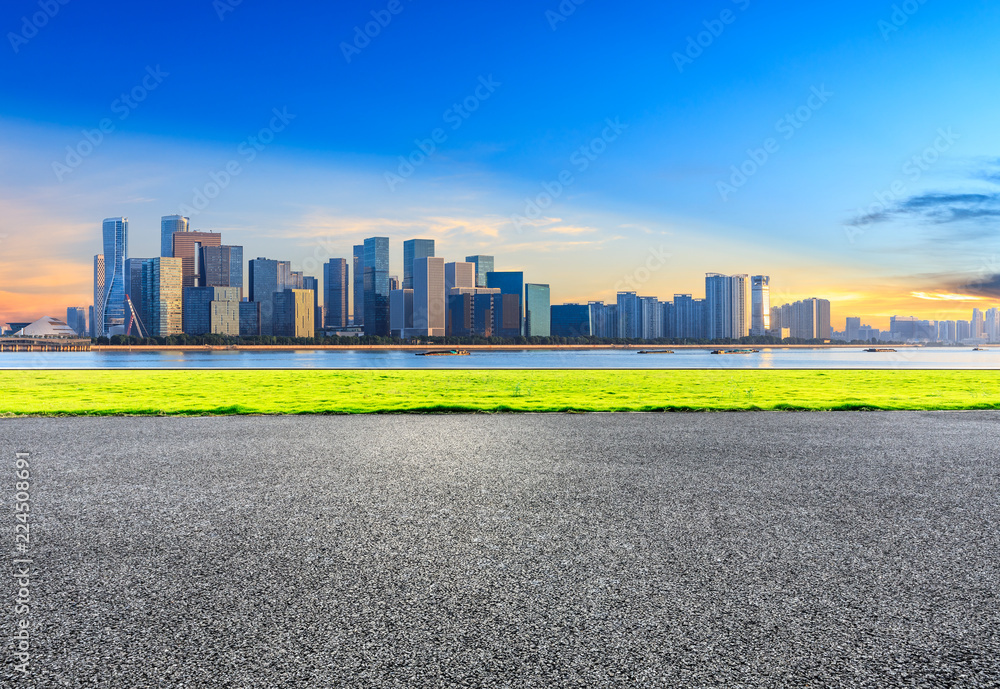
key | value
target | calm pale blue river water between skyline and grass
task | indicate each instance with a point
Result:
(924, 357)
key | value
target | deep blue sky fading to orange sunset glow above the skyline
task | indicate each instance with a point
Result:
(824, 106)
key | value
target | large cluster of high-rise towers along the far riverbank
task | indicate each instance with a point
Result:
(196, 287)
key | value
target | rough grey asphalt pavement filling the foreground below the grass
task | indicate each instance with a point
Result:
(696, 550)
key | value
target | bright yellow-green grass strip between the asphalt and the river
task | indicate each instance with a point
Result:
(195, 392)
